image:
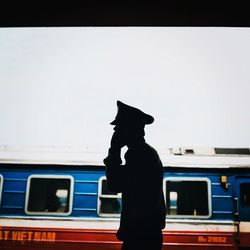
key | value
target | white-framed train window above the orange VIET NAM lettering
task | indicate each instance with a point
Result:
(49, 194)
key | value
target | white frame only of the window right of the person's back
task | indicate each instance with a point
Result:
(207, 180)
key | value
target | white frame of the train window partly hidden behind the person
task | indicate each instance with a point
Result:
(100, 195)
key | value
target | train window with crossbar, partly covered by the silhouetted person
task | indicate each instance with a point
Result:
(109, 203)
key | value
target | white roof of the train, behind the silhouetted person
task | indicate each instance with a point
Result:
(180, 157)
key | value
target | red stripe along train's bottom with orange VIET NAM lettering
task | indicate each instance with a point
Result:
(93, 239)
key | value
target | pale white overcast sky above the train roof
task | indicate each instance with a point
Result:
(59, 86)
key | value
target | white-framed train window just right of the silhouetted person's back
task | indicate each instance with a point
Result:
(188, 197)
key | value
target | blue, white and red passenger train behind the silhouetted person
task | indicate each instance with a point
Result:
(67, 204)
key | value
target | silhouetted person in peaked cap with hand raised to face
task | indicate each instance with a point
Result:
(139, 180)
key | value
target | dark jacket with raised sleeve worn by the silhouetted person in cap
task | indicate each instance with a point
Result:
(140, 181)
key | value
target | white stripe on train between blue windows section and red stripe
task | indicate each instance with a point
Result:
(113, 224)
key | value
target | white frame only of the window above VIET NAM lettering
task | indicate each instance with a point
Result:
(46, 176)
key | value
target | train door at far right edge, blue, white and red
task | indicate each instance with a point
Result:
(242, 211)
